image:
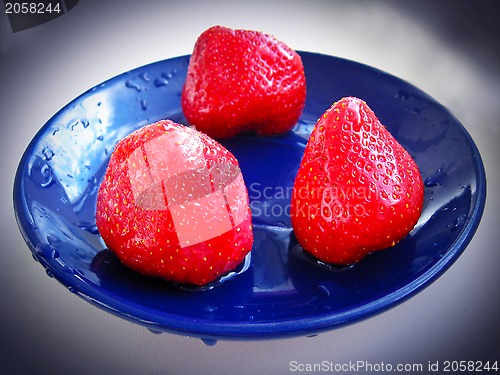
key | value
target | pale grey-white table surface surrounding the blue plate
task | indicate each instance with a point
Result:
(447, 49)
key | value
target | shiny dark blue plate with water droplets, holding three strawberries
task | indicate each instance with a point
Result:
(282, 292)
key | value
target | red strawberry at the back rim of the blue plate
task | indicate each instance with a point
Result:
(243, 80)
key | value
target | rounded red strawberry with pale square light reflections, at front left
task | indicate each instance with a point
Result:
(173, 204)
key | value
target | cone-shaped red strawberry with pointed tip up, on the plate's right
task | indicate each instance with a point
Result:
(357, 189)
